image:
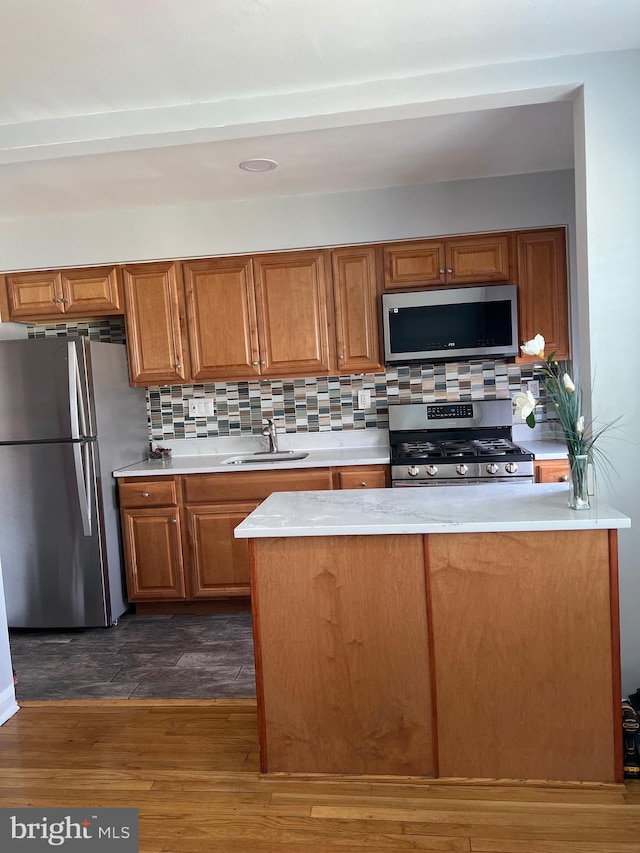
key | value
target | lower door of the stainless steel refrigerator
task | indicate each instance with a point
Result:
(51, 537)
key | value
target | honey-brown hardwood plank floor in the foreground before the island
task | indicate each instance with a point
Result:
(191, 768)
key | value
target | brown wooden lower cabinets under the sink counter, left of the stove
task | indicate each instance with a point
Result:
(178, 531)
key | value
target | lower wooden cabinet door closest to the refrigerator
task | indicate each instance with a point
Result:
(153, 554)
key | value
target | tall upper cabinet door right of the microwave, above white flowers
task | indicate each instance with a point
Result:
(542, 289)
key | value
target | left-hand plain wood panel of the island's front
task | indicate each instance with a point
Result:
(342, 655)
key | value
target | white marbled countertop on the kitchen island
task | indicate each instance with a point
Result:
(442, 509)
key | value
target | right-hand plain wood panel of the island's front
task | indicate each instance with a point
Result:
(522, 643)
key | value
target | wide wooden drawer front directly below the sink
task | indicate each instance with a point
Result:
(253, 486)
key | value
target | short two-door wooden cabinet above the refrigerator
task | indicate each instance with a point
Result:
(90, 292)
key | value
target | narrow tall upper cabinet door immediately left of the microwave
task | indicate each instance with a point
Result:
(355, 294)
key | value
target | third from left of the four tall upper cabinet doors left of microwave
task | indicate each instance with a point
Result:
(293, 328)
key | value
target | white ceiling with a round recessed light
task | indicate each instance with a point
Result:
(118, 103)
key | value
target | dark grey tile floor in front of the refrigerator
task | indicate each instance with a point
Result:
(142, 657)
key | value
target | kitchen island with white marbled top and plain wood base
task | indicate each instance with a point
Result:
(466, 632)
